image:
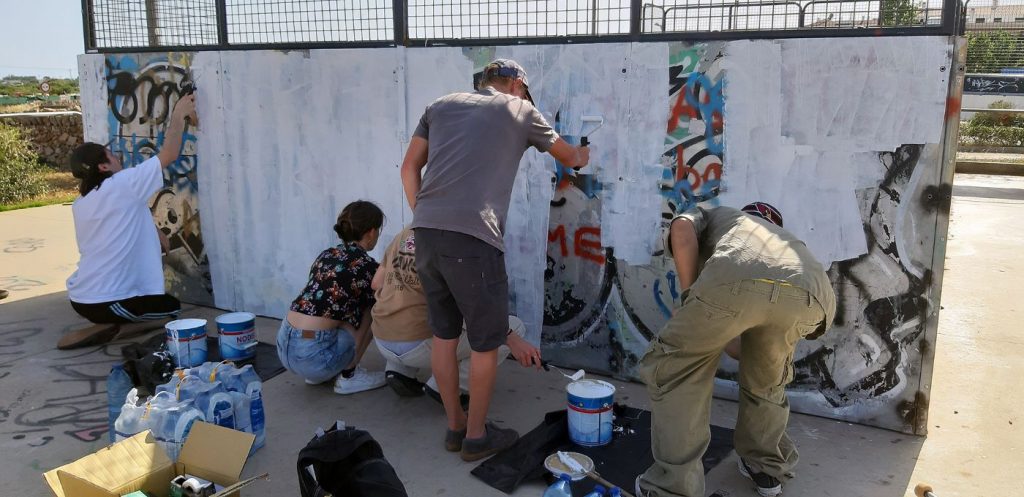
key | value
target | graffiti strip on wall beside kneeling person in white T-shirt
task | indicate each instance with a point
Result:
(142, 94)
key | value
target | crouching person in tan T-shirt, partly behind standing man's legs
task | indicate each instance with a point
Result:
(403, 336)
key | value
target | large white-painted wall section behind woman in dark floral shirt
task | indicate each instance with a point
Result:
(296, 137)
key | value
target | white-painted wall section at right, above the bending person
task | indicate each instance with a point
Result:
(805, 120)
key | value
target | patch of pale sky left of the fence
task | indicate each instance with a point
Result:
(41, 38)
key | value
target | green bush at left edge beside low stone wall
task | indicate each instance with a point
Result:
(21, 174)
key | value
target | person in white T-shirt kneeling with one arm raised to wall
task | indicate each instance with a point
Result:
(120, 276)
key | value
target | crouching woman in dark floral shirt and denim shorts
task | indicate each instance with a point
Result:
(327, 329)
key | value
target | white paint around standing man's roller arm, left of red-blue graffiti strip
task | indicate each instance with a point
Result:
(569, 82)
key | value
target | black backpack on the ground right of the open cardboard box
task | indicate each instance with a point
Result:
(347, 463)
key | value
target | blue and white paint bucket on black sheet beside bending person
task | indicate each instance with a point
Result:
(590, 412)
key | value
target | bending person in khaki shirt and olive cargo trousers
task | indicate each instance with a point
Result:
(756, 282)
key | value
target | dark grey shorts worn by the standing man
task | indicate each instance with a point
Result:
(464, 279)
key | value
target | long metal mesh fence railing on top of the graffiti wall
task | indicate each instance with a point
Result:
(219, 25)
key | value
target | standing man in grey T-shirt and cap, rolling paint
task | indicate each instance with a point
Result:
(472, 145)
